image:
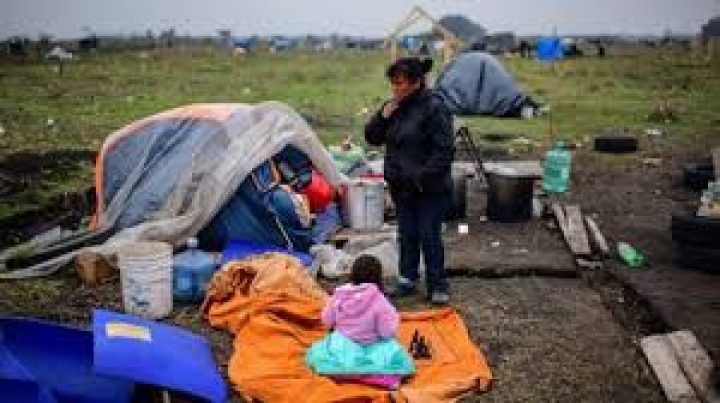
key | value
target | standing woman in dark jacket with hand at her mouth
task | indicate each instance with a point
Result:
(416, 128)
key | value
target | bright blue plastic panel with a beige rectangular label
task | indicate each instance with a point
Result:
(145, 351)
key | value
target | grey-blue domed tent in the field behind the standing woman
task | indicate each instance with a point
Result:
(476, 83)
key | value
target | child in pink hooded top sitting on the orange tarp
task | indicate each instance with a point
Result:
(362, 346)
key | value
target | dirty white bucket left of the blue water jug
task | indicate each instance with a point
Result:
(146, 277)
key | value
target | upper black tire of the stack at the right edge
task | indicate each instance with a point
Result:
(691, 230)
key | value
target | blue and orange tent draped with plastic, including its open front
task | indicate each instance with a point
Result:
(169, 176)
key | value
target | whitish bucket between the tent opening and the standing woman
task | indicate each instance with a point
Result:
(364, 204)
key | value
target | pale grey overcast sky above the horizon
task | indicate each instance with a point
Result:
(67, 18)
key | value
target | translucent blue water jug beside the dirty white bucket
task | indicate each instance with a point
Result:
(192, 271)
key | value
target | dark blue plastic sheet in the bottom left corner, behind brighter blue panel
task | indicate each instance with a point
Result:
(47, 363)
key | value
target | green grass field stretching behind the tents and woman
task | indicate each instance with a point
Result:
(43, 110)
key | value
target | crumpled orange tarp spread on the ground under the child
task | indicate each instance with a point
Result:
(273, 307)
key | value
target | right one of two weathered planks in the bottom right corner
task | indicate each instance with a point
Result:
(695, 363)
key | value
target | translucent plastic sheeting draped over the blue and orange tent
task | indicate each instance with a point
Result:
(167, 176)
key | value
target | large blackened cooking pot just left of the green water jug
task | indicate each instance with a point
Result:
(509, 198)
